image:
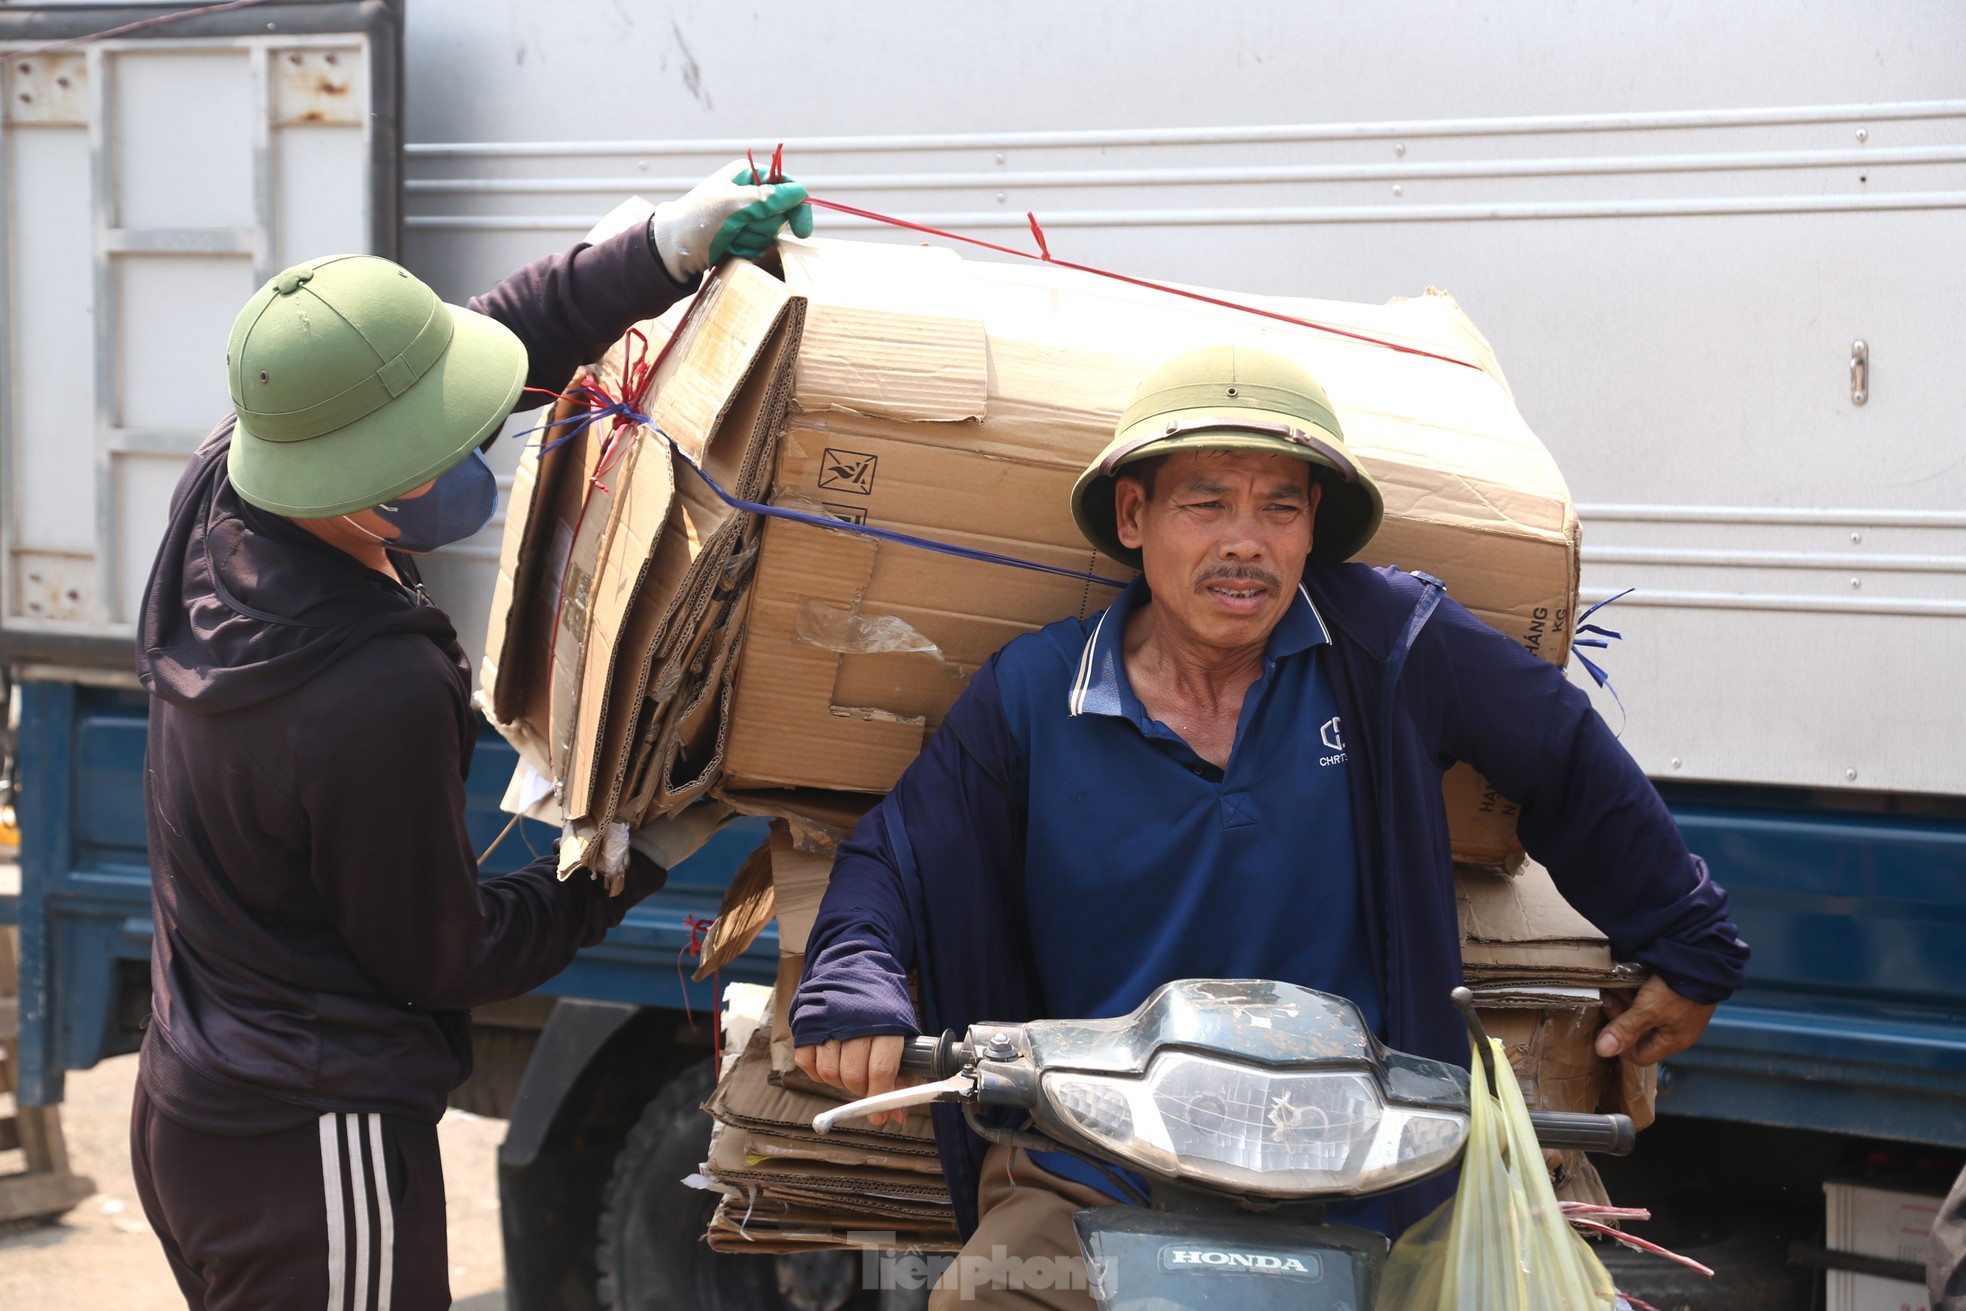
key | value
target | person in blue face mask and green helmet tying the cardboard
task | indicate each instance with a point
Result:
(321, 933)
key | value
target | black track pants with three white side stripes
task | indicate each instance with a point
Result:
(345, 1214)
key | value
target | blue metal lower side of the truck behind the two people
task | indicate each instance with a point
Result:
(1855, 1019)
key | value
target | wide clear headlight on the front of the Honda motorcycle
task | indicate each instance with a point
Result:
(1257, 1131)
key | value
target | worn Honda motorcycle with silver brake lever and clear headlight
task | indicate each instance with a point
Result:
(1249, 1108)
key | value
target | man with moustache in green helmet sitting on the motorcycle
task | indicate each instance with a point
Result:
(1232, 773)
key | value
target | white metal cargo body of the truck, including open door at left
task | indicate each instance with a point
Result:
(1676, 227)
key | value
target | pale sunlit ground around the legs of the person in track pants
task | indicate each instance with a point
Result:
(103, 1255)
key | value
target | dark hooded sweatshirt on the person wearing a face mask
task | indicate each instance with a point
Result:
(321, 933)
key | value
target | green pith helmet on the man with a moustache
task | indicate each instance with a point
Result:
(1236, 398)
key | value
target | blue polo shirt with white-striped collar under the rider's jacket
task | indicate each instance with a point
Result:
(1145, 864)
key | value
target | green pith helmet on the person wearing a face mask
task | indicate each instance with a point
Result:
(355, 384)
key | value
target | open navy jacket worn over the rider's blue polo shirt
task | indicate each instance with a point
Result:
(933, 878)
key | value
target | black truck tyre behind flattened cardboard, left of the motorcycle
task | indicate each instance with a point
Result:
(652, 1233)
